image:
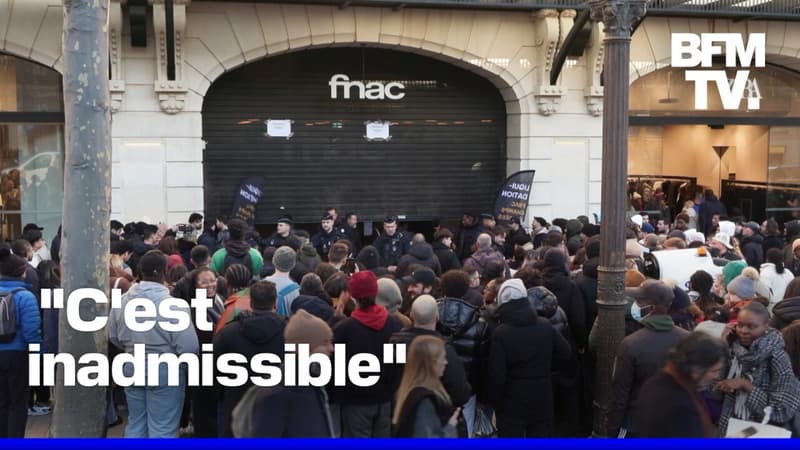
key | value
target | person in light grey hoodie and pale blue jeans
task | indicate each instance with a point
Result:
(162, 418)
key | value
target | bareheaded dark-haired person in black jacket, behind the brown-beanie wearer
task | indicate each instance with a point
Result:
(255, 331)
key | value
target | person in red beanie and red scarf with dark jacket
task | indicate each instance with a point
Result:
(366, 411)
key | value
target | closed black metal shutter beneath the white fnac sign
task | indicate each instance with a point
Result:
(446, 154)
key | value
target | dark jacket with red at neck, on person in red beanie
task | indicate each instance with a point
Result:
(365, 331)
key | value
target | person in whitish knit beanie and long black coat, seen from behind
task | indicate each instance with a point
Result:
(524, 350)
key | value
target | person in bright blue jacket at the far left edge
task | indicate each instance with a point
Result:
(14, 348)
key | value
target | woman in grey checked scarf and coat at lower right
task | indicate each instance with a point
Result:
(760, 373)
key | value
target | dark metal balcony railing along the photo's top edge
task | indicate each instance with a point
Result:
(741, 9)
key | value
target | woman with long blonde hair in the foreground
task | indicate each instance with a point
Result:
(423, 406)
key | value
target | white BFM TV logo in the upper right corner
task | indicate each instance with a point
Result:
(691, 50)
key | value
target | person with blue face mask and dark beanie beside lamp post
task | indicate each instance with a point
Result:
(642, 353)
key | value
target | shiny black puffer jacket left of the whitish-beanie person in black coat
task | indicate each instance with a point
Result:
(462, 325)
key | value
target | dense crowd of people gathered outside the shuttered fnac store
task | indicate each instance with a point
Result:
(500, 327)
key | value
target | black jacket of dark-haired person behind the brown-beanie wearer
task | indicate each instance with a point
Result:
(248, 335)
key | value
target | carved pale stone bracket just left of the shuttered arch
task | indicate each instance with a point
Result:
(171, 93)
